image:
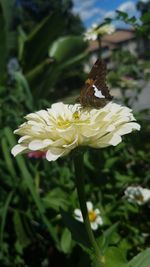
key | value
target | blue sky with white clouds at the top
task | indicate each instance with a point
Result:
(94, 11)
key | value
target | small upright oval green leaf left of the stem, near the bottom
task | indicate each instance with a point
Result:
(66, 241)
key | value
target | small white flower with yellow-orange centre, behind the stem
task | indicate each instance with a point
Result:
(94, 216)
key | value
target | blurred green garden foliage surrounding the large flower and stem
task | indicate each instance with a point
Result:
(41, 61)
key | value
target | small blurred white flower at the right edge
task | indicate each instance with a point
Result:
(137, 194)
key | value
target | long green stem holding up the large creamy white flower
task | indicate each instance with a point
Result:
(79, 173)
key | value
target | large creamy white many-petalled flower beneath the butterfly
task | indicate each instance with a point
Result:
(60, 129)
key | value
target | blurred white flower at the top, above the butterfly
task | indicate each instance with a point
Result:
(95, 30)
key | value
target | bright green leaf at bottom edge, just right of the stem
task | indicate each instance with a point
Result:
(114, 257)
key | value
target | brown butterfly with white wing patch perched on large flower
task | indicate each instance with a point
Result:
(95, 92)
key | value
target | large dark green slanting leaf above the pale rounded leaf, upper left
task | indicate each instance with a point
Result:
(51, 27)
